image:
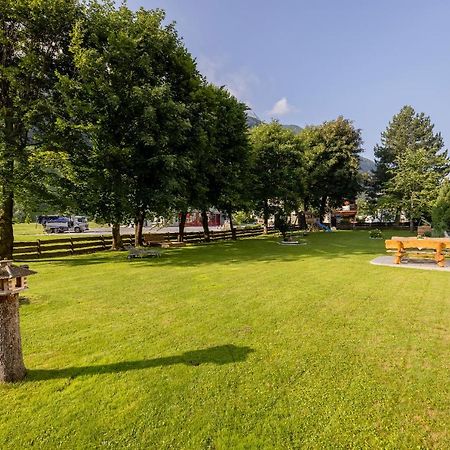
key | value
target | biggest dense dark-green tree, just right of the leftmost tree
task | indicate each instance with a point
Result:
(126, 98)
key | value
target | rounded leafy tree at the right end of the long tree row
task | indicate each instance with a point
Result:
(332, 155)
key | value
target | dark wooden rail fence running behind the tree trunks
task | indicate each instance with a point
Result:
(79, 245)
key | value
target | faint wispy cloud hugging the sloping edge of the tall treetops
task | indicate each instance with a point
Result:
(239, 83)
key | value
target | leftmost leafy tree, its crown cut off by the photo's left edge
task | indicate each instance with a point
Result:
(34, 41)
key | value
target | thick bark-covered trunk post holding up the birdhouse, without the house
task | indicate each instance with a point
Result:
(12, 367)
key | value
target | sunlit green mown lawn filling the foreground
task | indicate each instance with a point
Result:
(234, 345)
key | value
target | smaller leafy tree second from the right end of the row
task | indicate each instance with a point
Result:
(277, 163)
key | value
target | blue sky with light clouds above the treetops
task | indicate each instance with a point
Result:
(304, 62)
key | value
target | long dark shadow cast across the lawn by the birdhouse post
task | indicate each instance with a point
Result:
(219, 355)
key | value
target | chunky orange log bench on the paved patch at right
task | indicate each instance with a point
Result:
(417, 248)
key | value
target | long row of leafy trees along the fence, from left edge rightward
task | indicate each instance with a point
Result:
(103, 111)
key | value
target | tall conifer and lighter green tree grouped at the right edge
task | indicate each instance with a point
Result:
(411, 170)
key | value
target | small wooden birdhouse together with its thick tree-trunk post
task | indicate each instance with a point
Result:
(13, 279)
